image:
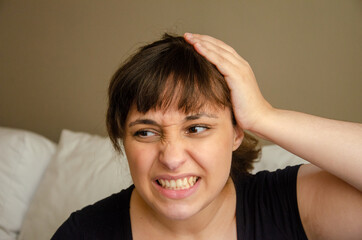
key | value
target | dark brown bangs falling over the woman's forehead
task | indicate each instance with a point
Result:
(181, 77)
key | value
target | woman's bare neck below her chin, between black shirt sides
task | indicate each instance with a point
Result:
(219, 214)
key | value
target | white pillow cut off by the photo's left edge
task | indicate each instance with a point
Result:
(23, 159)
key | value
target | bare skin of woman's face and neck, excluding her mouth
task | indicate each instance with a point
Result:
(169, 143)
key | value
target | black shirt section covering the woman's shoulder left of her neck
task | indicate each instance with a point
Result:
(98, 219)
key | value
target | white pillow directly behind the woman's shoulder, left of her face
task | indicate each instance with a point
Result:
(84, 170)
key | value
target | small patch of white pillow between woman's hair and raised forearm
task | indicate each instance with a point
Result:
(274, 157)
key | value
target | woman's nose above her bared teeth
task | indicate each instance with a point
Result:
(172, 155)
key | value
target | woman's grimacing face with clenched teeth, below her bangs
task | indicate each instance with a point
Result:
(180, 162)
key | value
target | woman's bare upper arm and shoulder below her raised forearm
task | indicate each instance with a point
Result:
(329, 207)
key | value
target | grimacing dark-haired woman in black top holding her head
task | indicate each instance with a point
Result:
(181, 106)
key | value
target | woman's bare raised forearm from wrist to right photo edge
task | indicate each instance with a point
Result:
(334, 146)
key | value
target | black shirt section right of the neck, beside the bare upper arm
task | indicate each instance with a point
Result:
(271, 205)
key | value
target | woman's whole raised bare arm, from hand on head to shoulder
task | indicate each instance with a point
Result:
(329, 196)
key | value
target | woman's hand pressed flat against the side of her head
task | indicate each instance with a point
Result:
(248, 103)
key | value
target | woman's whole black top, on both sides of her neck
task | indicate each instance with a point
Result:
(266, 209)
